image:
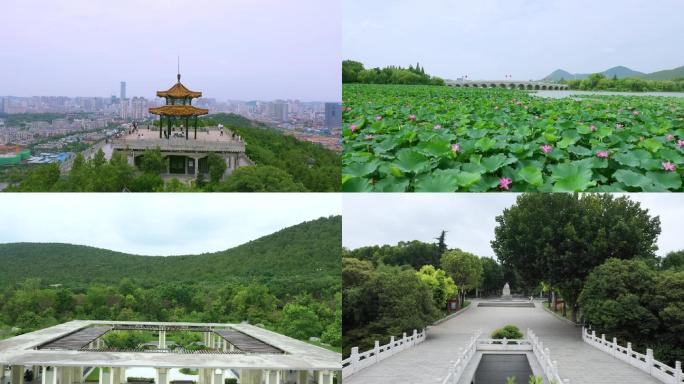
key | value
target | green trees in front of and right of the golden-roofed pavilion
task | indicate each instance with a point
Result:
(282, 164)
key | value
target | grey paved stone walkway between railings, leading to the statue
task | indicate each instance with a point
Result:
(428, 362)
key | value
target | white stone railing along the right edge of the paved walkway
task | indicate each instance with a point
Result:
(646, 363)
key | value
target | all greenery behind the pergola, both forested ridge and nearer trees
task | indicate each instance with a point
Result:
(288, 281)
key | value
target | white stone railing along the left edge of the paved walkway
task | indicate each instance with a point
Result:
(358, 361)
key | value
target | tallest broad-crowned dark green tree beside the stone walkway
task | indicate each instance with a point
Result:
(559, 238)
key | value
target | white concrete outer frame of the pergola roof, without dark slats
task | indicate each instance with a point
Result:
(22, 350)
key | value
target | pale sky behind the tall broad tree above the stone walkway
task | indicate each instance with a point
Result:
(376, 219)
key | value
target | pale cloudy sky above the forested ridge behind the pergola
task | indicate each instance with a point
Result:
(157, 224)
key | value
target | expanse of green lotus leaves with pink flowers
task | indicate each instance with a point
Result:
(439, 139)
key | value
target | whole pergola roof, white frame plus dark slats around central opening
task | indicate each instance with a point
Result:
(263, 349)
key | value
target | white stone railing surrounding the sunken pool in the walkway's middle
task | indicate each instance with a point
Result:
(532, 343)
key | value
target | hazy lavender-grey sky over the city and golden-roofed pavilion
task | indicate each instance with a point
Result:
(237, 49)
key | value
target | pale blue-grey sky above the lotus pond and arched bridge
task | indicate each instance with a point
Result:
(528, 39)
